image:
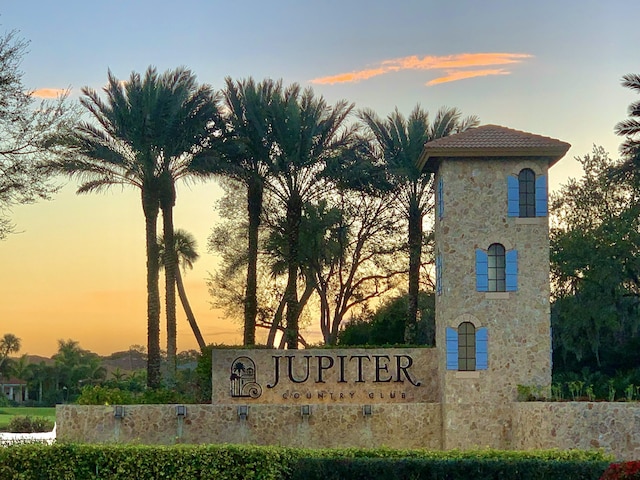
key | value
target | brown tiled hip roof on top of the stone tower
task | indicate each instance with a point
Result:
(492, 141)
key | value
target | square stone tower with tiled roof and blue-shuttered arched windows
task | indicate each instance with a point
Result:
(492, 276)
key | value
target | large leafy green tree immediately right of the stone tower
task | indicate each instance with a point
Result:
(595, 259)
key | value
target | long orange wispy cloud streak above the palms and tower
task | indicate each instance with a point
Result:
(456, 67)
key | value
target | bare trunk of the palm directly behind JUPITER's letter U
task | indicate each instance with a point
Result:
(294, 215)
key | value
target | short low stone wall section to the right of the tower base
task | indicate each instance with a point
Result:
(613, 427)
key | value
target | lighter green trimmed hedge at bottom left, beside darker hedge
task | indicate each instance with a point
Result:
(144, 462)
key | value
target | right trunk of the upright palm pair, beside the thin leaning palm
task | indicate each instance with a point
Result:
(170, 267)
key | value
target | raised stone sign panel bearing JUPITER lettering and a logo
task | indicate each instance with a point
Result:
(326, 377)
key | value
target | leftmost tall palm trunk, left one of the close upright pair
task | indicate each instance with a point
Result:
(150, 208)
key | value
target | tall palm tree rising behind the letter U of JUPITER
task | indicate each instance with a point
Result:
(307, 134)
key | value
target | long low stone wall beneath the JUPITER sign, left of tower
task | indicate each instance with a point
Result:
(339, 425)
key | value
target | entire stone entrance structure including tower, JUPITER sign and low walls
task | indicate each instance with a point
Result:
(407, 398)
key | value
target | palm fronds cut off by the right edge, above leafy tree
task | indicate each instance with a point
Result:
(630, 128)
